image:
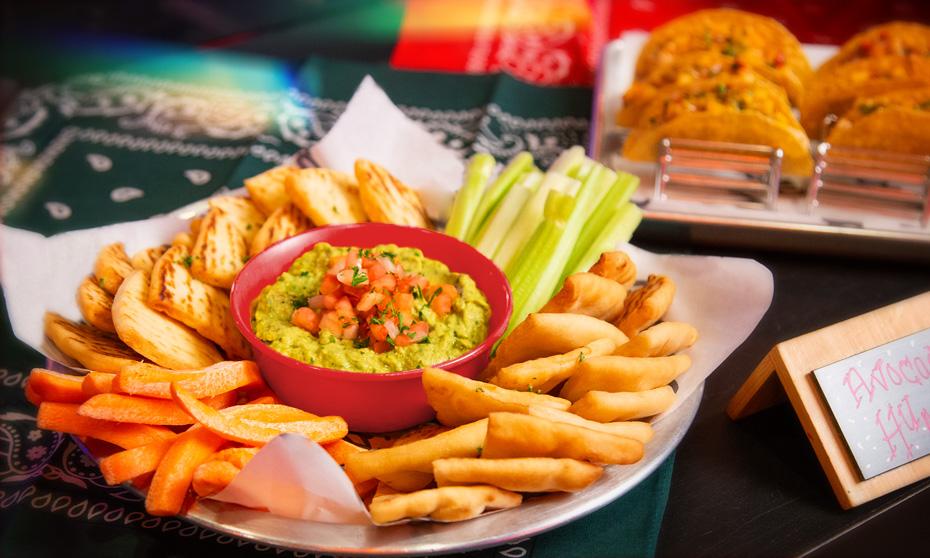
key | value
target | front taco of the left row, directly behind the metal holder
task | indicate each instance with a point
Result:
(730, 109)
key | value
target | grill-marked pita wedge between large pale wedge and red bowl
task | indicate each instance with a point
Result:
(205, 308)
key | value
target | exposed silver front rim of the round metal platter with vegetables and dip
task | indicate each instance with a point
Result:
(534, 516)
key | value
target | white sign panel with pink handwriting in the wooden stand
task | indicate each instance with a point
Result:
(880, 399)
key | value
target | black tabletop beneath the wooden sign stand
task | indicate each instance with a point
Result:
(753, 487)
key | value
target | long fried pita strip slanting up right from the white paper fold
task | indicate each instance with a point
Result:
(464, 441)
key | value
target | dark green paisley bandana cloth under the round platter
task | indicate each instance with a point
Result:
(163, 129)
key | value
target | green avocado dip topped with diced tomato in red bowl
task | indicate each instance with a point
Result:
(383, 309)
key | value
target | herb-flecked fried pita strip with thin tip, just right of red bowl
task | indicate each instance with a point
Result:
(544, 374)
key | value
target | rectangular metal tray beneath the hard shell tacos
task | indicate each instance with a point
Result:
(789, 226)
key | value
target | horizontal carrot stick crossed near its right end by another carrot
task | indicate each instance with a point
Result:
(143, 410)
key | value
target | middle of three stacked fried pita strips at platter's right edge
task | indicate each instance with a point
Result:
(616, 373)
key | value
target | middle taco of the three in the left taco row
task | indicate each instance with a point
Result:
(700, 65)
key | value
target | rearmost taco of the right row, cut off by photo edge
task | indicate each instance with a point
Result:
(897, 38)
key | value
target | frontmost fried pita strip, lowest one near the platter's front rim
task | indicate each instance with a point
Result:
(449, 503)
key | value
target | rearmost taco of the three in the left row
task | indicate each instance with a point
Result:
(729, 33)
